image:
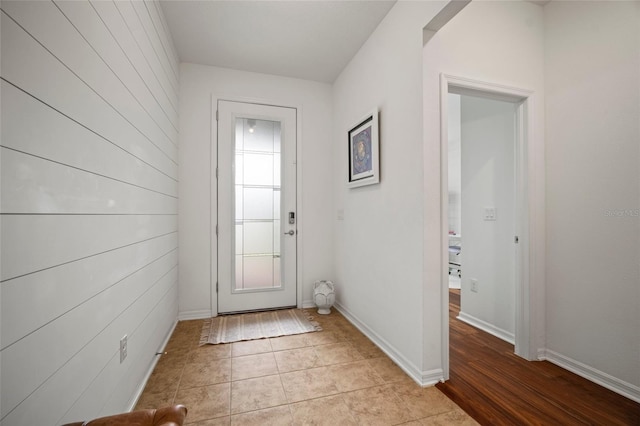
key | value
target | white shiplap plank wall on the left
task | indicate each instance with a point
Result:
(89, 192)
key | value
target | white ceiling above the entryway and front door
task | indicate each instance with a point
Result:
(312, 40)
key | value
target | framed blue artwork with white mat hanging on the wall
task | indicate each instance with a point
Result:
(364, 162)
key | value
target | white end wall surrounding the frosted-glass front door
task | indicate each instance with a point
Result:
(198, 83)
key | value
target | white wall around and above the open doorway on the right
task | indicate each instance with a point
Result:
(500, 43)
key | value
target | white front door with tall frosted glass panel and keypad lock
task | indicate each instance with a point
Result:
(257, 234)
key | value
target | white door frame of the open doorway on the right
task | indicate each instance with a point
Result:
(529, 225)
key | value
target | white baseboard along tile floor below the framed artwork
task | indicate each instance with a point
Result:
(423, 378)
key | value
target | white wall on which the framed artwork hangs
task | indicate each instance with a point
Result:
(379, 243)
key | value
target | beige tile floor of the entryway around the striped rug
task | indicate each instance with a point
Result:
(332, 377)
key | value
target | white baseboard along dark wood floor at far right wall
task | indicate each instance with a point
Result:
(614, 384)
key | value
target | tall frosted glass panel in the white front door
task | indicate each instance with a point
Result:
(257, 215)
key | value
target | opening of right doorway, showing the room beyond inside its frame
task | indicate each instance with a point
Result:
(481, 189)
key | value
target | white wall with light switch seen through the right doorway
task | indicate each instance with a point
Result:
(488, 181)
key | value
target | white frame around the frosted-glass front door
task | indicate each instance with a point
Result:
(213, 186)
